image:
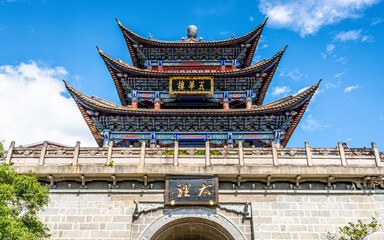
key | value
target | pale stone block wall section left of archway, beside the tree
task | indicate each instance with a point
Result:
(88, 216)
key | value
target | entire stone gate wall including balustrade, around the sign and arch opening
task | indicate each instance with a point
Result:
(267, 193)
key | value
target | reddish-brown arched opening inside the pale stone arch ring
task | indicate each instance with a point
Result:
(192, 229)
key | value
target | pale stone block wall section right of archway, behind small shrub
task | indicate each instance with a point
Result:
(311, 216)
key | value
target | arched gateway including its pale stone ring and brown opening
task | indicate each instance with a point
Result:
(192, 223)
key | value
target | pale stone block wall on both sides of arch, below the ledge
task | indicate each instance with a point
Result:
(80, 215)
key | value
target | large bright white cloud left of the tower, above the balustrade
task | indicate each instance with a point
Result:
(34, 108)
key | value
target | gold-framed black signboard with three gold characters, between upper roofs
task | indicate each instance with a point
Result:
(191, 85)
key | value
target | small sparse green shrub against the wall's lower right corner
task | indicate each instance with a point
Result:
(356, 231)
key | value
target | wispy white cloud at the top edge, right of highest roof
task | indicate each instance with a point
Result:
(307, 17)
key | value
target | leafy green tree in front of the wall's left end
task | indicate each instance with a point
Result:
(21, 198)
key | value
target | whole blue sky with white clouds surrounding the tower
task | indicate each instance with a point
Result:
(341, 42)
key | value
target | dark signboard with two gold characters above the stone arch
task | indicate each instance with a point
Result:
(191, 190)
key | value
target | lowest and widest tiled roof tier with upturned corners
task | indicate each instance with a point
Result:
(297, 102)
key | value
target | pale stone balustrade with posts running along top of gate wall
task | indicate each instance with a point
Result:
(274, 156)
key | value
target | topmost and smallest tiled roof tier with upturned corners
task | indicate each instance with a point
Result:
(251, 38)
